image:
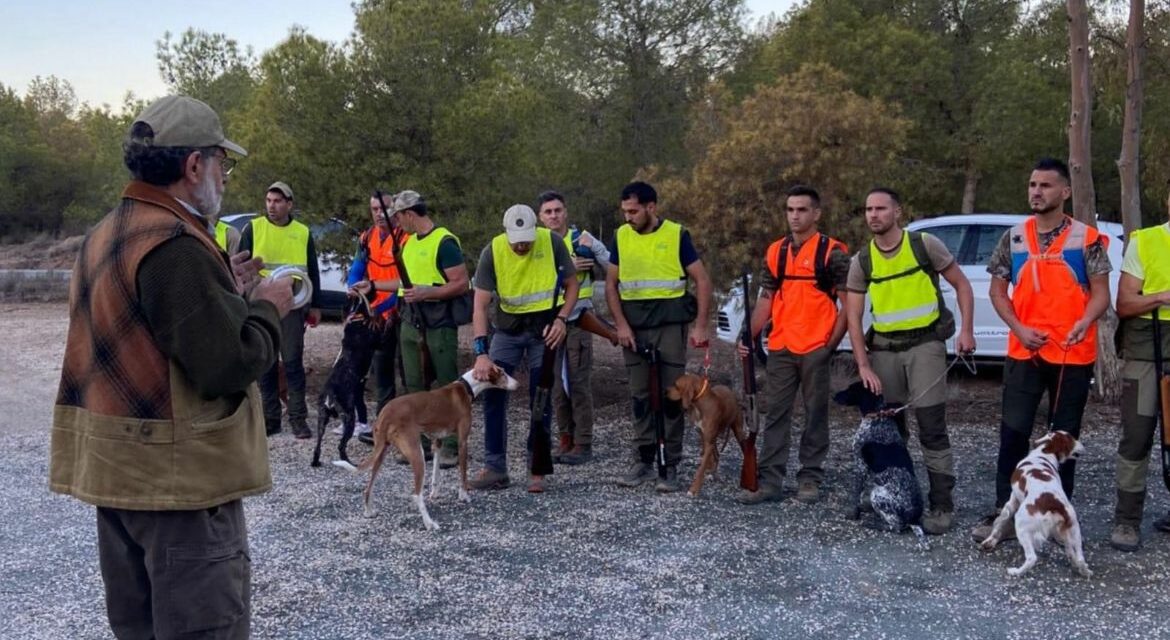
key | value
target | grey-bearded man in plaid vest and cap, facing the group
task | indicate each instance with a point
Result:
(157, 419)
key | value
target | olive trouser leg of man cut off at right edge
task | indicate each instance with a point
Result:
(1139, 424)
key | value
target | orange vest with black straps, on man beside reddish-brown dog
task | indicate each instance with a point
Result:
(804, 308)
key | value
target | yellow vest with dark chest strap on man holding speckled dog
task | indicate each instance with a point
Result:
(903, 295)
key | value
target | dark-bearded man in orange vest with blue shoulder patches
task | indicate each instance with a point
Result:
(1058, 270)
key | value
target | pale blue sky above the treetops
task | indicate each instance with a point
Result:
(106, 49)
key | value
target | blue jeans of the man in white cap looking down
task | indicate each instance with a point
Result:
(508, 353)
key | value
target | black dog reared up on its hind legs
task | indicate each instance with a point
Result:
(342, 394)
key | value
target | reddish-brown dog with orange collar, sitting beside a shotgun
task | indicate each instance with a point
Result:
(717, 411)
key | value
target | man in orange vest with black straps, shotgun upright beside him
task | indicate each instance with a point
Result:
(804, 281)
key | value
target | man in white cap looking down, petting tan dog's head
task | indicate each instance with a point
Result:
(525, 269)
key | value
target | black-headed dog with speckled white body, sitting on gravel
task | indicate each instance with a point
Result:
(882, 460)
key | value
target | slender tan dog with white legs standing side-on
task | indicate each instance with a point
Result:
(437, 414)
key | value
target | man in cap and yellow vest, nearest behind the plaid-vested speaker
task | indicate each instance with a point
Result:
(279, 240)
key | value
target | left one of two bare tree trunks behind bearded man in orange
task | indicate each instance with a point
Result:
(1080, 154)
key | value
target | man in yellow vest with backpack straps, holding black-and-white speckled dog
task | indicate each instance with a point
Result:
(904, 356)
